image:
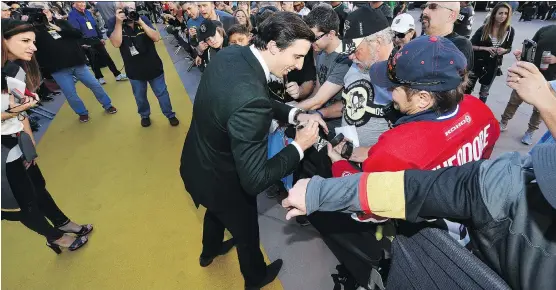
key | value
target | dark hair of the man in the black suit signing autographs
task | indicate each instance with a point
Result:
(284, 28)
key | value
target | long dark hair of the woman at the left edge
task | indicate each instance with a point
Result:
(11, 27)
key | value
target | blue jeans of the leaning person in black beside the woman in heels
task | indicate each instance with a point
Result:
(64, 79)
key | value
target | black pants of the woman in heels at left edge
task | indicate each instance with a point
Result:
(35, 202)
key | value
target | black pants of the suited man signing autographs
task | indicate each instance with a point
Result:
(242, 222)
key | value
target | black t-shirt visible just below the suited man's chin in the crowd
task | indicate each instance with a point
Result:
(307, 73)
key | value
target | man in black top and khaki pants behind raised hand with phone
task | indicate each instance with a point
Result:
(545, 42)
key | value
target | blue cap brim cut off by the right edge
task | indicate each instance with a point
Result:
(544, 165)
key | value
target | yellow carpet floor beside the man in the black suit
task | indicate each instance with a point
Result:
(124, 179)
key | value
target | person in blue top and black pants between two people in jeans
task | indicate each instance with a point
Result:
(83, 20)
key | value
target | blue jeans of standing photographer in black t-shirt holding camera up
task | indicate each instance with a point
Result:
(158, 85)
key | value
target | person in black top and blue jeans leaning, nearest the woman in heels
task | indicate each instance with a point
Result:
(60, 54)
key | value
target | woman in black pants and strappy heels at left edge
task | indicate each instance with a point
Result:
(24, 194)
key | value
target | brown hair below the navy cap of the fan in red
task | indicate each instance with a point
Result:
(444, 101)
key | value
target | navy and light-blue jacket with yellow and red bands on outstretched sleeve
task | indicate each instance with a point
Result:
(512, 226)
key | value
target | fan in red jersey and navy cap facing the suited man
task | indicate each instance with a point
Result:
(441, 126)
